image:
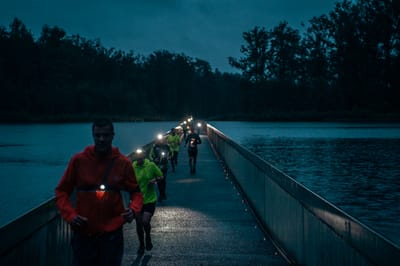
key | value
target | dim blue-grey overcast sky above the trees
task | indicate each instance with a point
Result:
(210, 30)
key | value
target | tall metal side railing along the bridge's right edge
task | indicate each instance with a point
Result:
(309, 229)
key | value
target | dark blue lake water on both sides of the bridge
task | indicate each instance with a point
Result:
(354, 166)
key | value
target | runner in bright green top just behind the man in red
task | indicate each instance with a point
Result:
(147, 175)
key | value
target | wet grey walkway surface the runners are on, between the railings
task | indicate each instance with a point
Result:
(203, 222)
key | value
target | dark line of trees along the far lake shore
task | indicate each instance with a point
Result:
(345, 63)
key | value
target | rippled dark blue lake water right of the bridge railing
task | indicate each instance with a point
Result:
(354, 166)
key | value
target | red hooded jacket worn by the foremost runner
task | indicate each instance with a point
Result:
(103, 210)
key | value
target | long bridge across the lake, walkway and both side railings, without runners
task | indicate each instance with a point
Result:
(236, 210)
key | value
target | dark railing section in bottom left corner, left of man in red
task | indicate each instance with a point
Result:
(39, 237)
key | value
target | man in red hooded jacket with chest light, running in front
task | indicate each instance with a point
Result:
(98, 174)
